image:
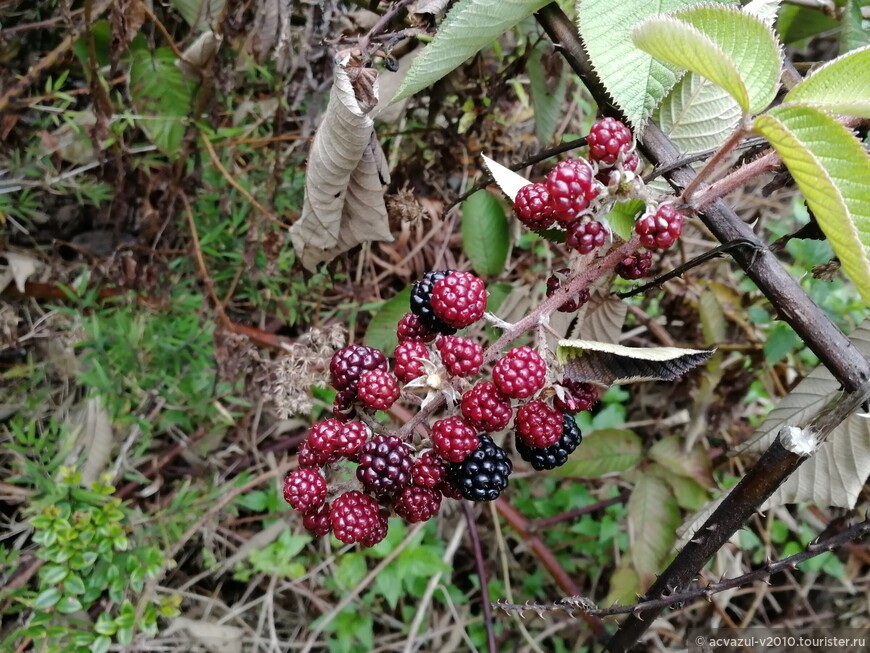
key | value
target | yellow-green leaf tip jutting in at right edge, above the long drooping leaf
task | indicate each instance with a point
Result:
(841, 85)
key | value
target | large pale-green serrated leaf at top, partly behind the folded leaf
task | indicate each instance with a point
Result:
(635, 80)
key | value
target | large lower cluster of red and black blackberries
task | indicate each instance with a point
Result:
(410, 477)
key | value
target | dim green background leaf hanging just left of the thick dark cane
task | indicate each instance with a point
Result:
(548, 88)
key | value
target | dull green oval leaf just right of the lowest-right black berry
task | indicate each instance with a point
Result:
(603, 452)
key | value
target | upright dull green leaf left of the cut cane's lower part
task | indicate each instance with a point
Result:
(653, 519)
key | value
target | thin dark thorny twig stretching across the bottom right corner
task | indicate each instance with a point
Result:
(574, 604)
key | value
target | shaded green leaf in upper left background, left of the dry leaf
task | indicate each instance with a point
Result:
(163, 95)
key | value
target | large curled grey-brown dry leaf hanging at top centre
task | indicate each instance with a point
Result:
(347, 173)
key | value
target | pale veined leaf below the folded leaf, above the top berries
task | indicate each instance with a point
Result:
(697, 114)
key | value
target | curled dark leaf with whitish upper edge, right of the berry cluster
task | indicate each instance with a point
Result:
(609, 364)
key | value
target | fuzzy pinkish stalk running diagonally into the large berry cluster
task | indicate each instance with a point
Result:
(531, 321)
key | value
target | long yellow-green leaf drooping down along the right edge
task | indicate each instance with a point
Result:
(831, 168)
